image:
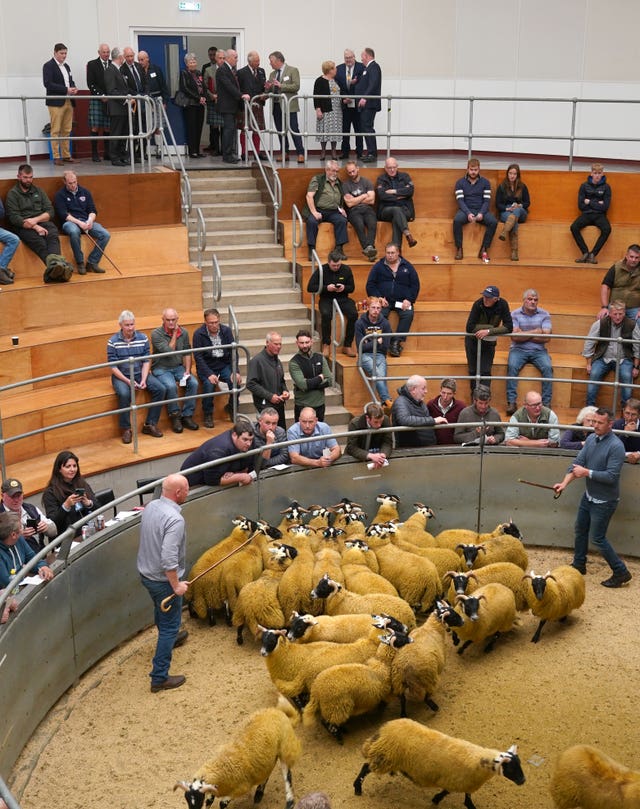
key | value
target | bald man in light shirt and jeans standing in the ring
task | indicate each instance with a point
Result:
(161, 565)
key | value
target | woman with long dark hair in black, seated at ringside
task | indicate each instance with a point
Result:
(68, 497)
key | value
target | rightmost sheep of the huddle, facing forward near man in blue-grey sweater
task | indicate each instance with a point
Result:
(553, 596)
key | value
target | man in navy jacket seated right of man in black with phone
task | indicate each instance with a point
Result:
(395, 281)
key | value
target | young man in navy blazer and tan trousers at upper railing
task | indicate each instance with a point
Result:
(58, 81)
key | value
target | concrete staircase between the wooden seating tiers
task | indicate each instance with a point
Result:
(256, 277)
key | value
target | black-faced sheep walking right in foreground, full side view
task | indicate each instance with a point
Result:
(429, 758)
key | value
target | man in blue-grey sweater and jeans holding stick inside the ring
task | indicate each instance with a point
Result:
(599, 462)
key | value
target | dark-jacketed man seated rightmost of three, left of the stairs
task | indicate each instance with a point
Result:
(214, 366)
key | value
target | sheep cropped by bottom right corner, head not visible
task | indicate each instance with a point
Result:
(584, 776)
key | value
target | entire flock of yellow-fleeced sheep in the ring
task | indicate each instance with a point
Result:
(333, 604)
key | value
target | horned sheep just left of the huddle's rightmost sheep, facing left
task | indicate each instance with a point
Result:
(490, 611)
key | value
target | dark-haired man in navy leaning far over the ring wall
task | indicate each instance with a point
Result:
(238, 439)
